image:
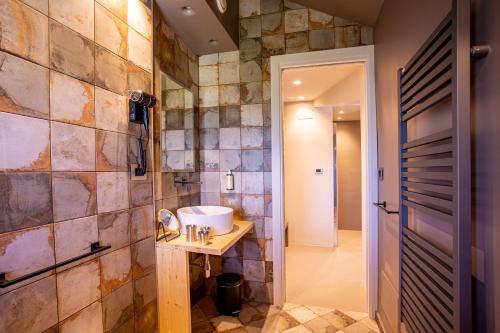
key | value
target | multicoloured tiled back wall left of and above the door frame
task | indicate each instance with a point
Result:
(235, 122)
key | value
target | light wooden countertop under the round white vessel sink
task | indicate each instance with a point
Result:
(217, 245)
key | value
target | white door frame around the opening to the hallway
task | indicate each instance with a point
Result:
(369, 163)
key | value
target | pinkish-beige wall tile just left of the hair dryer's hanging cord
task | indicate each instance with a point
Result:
(111, 151)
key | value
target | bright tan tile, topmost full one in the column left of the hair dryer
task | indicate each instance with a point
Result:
(110, 31)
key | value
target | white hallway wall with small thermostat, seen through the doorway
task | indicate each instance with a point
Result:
(308, 145)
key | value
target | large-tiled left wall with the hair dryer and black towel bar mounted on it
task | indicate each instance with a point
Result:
(65, 147)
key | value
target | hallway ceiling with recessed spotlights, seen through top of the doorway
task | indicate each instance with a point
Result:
(315, 80)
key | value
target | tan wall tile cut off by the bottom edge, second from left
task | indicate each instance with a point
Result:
(85, 321)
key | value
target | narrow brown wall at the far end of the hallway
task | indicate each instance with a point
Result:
(349, 174)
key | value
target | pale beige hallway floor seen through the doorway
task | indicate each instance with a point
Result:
(325, 277)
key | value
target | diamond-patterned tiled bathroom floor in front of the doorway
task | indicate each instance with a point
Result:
(291, 318)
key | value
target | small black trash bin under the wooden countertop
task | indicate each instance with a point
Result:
(229, 293)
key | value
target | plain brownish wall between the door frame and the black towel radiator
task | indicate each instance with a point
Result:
(398, 35)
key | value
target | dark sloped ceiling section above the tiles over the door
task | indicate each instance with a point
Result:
(361, 11)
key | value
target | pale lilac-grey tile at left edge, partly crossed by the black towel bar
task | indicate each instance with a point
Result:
(25, 251)
